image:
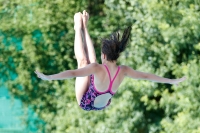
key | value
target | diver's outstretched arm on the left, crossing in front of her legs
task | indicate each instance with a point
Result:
(85, 71)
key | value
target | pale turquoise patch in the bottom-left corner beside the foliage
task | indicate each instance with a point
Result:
(10, 113)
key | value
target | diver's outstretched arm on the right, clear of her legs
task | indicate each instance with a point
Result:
(147, 76)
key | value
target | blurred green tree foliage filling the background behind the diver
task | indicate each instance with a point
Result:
(165, 40)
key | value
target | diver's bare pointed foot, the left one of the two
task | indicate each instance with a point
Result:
(78, 23)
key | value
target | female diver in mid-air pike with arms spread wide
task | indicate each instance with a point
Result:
(96, 83)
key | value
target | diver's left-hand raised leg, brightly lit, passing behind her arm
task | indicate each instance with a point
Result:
(81, 84)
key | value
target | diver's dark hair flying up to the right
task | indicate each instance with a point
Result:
(113, 46)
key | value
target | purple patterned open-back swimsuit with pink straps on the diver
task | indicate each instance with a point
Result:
(87, 101)
